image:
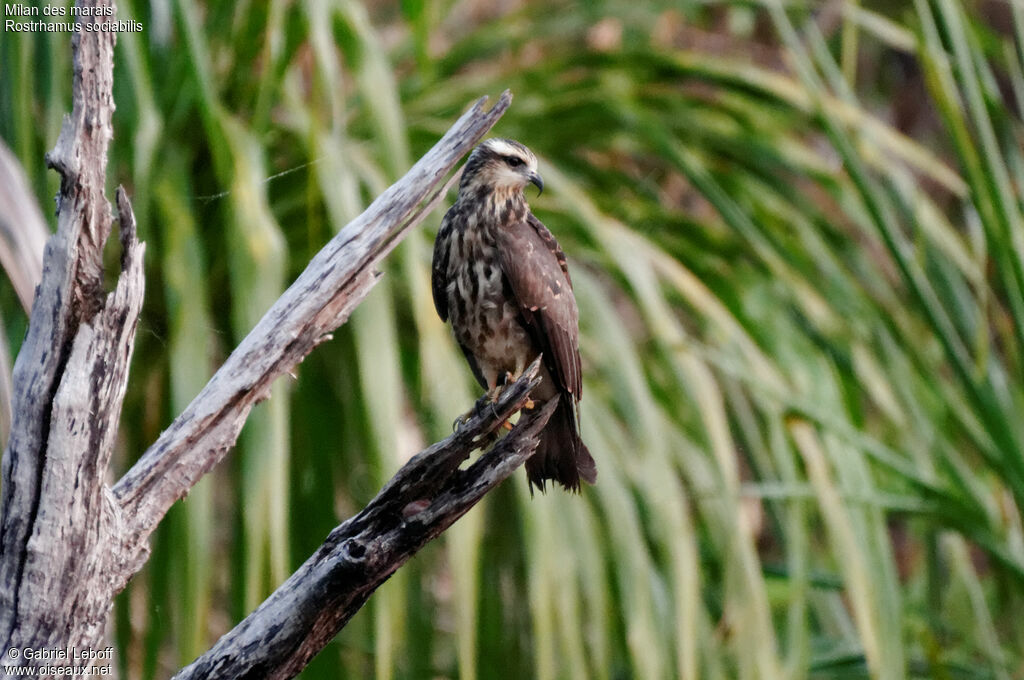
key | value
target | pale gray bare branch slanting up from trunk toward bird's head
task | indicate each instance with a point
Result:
(320, 301)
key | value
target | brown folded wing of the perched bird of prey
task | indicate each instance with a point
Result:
(538, 275)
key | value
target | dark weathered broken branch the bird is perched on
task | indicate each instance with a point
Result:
(423, 499)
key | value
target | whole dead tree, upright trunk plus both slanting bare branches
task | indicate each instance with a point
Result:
(68, 542)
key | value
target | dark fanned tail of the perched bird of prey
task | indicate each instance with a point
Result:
(562, 455)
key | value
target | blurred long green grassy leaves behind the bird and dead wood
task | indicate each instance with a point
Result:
(798, 246)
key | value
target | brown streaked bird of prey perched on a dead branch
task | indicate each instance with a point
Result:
(502, 280)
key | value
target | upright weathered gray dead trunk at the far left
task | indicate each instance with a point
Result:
(67, 400)
